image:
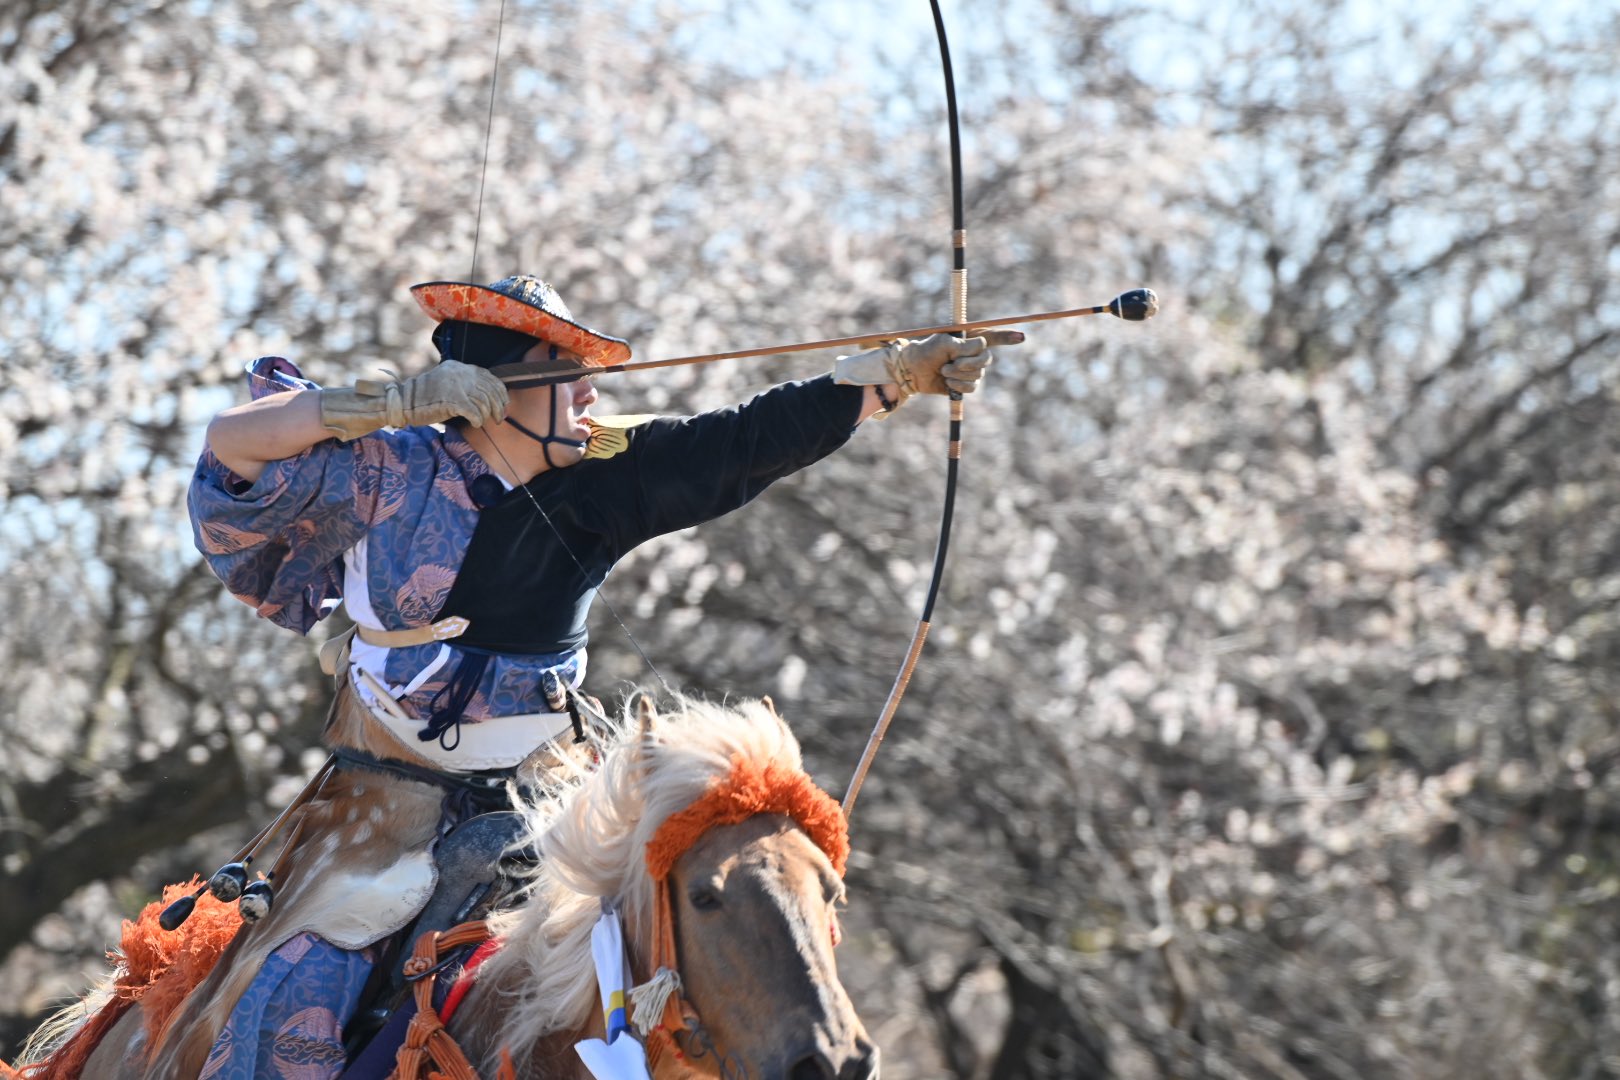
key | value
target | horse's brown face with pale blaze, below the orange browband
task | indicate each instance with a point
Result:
(756, 924)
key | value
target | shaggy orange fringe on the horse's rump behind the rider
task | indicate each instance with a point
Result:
(156, 967)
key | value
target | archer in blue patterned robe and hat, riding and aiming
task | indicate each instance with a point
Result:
(467, 558)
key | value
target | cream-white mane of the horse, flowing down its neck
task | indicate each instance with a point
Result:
(594, 843)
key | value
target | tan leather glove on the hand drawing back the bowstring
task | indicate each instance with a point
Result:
(440, 394)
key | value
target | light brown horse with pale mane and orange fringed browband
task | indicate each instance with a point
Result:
(725, 864)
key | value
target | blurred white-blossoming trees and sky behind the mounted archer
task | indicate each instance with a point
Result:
(1269, 720)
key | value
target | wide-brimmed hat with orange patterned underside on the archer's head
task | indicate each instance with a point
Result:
(526, 305)
